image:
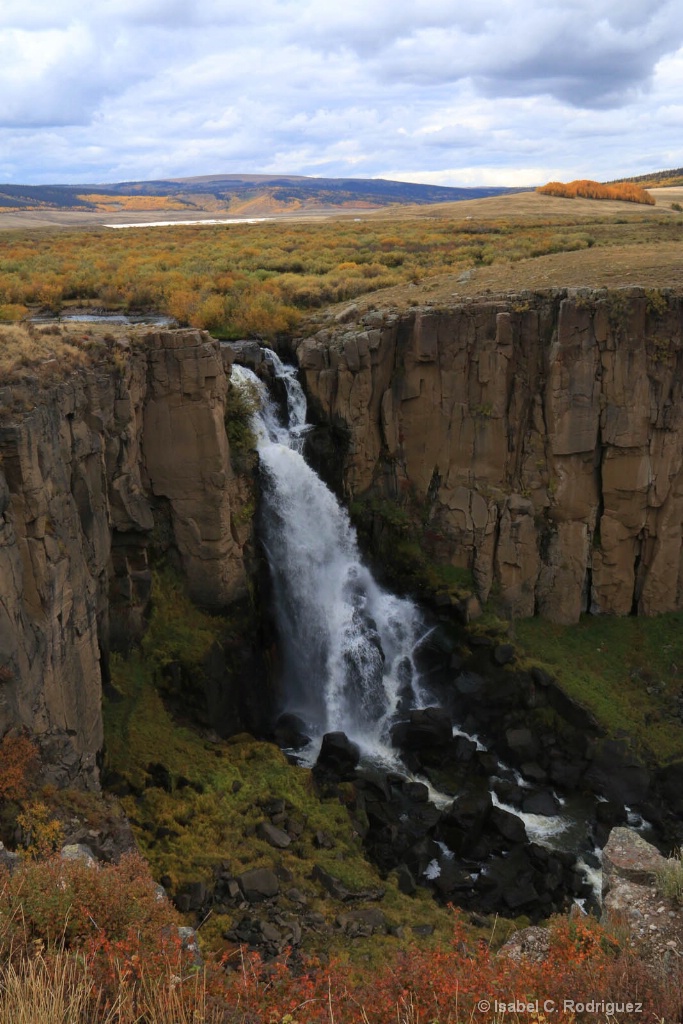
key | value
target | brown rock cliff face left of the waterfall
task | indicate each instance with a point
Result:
(95, 474)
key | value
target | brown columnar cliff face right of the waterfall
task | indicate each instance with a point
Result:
(542, 435)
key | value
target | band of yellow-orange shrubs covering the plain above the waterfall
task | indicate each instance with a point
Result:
(258, 279)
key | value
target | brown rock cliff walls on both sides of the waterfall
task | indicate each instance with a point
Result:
(540, 435)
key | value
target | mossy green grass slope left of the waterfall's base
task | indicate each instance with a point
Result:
(186, 834)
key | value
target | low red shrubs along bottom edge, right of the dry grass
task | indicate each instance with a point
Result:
(460, 984)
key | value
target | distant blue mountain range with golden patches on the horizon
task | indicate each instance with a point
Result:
(238, 194)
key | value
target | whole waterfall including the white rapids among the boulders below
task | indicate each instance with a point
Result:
(348, 646)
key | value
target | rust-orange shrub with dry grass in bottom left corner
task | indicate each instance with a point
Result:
(94, 945)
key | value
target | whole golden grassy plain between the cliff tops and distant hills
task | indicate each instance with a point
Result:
(264, 279)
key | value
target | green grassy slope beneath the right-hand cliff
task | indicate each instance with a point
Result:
(627, 671)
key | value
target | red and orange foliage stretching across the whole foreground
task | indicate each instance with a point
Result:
(113, 921)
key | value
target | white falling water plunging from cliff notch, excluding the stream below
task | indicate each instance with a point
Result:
(348, 645)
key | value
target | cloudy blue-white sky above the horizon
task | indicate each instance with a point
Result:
(440, 92)
